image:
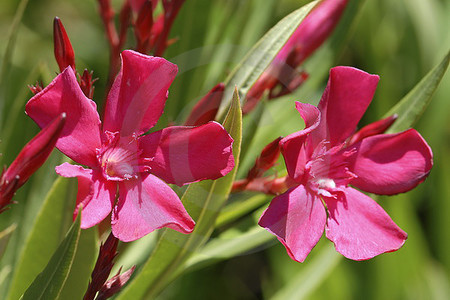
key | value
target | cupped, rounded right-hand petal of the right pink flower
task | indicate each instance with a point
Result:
(391, 163)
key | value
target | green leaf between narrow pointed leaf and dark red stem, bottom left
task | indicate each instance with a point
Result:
(83, 264)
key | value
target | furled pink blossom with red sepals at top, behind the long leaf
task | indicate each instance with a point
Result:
(282, 76)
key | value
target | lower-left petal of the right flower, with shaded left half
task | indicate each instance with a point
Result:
(297, 218)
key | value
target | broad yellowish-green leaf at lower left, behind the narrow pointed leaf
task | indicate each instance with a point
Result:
(42, 241)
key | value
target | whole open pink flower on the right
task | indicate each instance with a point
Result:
(323, 159)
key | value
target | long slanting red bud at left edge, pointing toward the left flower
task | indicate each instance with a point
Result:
(31, 158)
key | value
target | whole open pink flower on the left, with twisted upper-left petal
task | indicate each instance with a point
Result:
(126, 165)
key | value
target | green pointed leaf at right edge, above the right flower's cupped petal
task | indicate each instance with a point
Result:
(411, 107)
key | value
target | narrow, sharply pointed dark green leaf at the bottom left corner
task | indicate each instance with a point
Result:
(49, 283)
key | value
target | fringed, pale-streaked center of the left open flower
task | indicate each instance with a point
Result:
(120, 158)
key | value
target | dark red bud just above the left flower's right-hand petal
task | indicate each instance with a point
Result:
(206, 109)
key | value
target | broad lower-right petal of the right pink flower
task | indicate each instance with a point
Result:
(359, 228)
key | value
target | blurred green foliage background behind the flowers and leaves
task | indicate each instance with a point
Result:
(398, 40)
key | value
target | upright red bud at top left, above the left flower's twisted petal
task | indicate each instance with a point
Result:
(62, 47)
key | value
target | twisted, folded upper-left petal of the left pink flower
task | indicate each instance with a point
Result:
(80, 136)
